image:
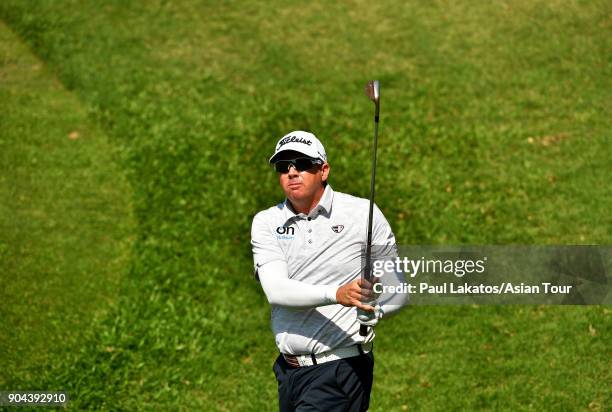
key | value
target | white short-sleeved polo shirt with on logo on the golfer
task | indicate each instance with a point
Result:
(324, 247)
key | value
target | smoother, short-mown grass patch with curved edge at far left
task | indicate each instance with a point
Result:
(65, 219)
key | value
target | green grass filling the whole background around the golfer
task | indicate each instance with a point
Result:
(495, 129)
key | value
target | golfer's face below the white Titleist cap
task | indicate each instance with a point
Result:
(302, 186)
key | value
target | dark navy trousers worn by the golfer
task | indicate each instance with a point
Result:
(342, 385)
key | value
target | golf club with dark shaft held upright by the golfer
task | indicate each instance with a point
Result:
(373, 92)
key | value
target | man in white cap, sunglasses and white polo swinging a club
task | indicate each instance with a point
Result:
(308, 257)
